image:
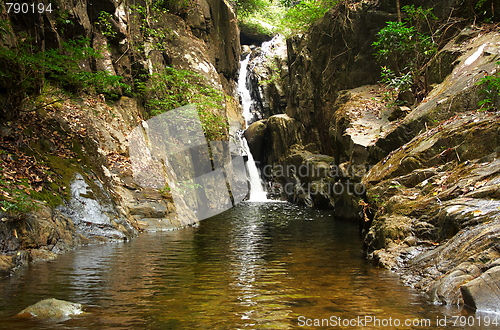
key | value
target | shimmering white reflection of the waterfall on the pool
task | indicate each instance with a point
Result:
(257, 280)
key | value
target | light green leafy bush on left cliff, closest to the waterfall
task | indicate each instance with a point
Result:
(173, 88)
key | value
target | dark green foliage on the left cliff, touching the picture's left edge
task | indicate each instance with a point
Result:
(24, 71)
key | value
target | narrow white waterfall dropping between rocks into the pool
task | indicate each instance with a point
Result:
(257, 192)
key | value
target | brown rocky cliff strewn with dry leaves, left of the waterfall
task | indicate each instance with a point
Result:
(88, 192)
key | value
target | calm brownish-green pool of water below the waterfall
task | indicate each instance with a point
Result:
(256, 266)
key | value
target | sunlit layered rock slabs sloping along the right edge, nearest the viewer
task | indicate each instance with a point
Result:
(434, 197)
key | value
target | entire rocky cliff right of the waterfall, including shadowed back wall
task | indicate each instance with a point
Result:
(429, 168)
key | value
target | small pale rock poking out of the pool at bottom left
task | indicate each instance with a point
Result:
(52, 308)
